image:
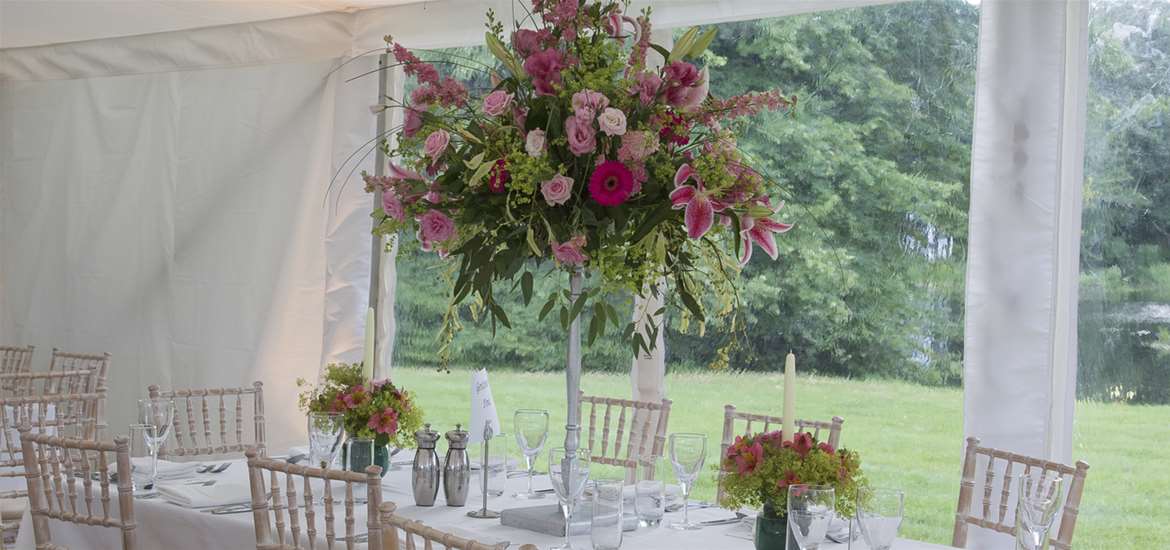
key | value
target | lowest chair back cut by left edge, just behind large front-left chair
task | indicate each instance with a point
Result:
(57, 415)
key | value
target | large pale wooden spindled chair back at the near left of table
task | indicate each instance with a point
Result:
(61, 476)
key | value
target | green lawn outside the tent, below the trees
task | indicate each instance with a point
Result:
(910, 437)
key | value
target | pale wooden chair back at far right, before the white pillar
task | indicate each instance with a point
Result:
(995, 515)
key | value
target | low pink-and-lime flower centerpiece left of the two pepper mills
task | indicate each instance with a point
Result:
(371, 410)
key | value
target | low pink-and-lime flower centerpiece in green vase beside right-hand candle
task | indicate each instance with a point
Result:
(759, 470)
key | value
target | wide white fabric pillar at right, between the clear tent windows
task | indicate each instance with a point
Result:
(1027, 177)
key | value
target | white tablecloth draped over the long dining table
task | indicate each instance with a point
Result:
(164, 526)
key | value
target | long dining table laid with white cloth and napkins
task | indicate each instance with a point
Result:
(163, 524)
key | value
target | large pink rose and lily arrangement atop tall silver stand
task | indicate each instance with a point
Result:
(584, 154)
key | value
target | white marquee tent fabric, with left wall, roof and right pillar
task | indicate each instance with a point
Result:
(164, 170)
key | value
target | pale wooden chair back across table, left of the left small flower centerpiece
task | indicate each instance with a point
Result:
(197, 411)
